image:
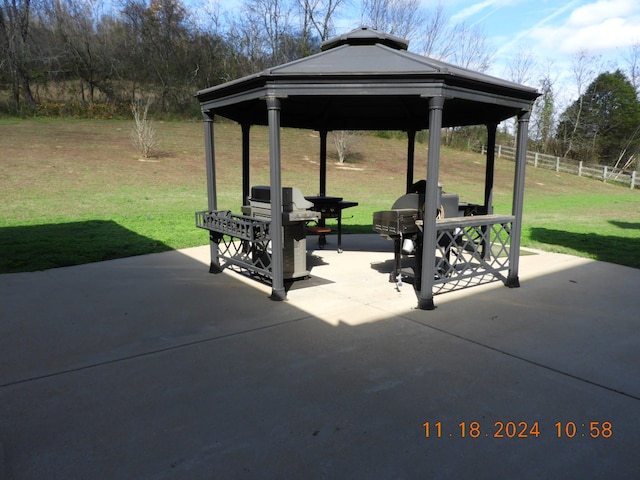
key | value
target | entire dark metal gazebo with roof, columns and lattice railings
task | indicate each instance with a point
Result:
(367, 80)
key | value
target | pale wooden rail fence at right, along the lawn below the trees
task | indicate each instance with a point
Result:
(600, 172)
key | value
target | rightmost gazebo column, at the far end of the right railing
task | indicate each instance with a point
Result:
(518, 198)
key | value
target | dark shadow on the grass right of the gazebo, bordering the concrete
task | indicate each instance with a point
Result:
(607, 248)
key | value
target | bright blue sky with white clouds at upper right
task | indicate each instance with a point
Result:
(553, 30)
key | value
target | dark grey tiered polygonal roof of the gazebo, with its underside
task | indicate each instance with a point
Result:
(367, 80)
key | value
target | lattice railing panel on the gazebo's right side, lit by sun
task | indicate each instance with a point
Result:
(471, 251)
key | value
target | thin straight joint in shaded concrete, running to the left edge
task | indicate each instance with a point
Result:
(153, 352)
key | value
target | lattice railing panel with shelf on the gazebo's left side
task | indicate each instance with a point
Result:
(242, 241)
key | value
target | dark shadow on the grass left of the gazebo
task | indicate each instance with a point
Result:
(40, 247)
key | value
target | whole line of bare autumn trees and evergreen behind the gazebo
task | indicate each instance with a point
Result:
(96, 57)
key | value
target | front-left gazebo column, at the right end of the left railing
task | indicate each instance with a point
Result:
(275, 230)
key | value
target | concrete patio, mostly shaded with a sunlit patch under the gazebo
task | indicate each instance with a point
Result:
(151, 368)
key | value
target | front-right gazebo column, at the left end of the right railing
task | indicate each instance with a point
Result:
(425, 299)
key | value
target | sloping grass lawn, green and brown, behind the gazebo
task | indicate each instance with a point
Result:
(76, 191)
